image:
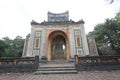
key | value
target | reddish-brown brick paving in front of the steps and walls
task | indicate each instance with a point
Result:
(83, 75)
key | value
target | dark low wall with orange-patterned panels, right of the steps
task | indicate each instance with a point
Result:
(98, 63)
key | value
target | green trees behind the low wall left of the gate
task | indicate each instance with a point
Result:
(11, 48)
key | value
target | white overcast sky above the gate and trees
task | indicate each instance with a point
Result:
(16, 15)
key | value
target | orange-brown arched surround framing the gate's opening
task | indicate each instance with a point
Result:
(51, 34)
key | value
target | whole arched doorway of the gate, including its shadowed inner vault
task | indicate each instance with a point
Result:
(58, 45)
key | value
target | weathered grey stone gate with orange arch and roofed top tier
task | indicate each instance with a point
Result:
(57, 38)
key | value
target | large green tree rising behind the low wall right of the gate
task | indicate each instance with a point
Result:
(108, 34)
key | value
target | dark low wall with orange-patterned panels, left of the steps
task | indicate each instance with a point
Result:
(23, 64)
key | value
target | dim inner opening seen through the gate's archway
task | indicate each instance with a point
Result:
(59, 47)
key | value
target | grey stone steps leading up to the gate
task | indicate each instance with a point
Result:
(56, 67)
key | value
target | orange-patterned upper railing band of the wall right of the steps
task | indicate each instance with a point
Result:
(98, 59)
